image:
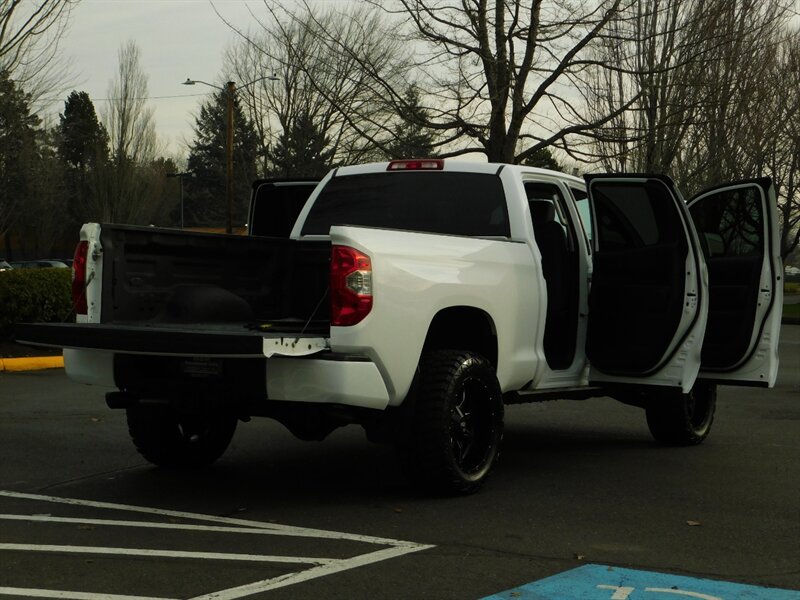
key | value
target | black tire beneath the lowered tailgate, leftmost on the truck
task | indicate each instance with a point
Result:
(168, 438)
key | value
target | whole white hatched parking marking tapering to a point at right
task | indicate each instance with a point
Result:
(322, 566)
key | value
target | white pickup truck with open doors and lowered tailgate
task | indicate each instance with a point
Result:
(417, 297)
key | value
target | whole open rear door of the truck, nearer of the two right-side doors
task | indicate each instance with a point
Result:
(648, 298)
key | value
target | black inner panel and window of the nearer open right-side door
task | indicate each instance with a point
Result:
(636, 301)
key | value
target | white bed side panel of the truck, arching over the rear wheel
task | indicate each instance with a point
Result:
(417, 275)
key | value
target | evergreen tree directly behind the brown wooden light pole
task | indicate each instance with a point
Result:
(205, 194)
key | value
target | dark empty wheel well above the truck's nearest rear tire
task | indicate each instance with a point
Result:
(463, 328)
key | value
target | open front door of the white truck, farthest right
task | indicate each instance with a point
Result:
(737, 225)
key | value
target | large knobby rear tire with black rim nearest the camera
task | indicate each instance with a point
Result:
(457, 427)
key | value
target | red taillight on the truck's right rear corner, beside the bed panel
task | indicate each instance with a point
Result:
(351, 286)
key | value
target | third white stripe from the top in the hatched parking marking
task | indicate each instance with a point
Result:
(166, 553)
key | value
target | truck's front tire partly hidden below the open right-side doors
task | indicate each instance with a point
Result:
(683, 419)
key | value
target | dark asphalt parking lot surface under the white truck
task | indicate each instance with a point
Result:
(580, 484)
